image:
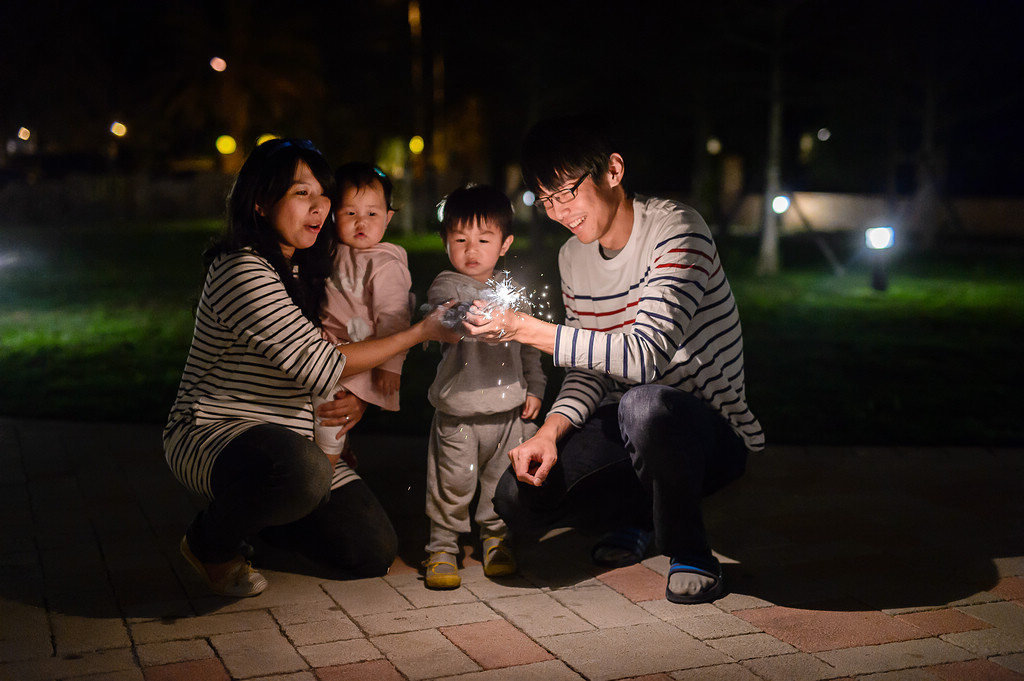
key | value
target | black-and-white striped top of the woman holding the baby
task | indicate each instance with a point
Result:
(254, 360)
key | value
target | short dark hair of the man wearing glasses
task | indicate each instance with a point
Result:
(562, 150)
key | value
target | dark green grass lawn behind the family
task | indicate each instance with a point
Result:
(96, 324)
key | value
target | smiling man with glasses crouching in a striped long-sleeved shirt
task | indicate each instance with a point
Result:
(653, 414)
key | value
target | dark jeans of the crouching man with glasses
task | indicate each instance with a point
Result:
(647, 462)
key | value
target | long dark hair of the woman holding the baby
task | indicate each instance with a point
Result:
(264, 181)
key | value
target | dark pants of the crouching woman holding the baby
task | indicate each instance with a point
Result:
(271, 479)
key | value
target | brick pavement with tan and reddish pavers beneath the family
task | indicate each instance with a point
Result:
(843, 564)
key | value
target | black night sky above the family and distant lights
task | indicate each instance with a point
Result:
(889, 79)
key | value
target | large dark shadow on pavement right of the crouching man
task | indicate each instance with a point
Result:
(841, 529)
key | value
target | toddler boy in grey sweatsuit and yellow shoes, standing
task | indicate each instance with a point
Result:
(485, 395)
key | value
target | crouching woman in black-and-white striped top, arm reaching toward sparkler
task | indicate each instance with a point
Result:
(241, 430)
